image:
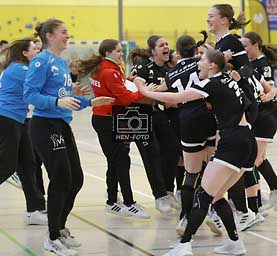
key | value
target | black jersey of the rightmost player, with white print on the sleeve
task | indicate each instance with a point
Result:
(262, 66)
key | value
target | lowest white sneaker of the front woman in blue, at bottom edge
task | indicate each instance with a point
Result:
(57, 247)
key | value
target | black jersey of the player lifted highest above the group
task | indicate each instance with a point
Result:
(232, 43)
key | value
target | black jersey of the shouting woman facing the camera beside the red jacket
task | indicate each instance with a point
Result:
(150, 72)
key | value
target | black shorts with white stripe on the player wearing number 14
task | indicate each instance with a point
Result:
(197, 127)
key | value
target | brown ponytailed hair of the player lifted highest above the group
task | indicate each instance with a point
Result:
(226, 10)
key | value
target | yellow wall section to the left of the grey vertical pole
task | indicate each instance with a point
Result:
(83, 23)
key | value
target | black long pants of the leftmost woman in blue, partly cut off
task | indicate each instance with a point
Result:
(16, 154)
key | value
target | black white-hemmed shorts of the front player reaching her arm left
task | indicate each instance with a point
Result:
(236, 149)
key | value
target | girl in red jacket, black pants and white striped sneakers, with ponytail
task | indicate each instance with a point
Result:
(107, 79)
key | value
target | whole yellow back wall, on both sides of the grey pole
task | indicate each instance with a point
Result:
(98, 20)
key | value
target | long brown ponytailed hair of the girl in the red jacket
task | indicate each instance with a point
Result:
(90, 65)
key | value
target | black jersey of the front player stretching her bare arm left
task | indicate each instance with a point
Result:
(227, 99)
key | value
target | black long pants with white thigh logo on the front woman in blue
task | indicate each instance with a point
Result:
(55, 144)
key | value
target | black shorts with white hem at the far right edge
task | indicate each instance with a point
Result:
(265, 125)
